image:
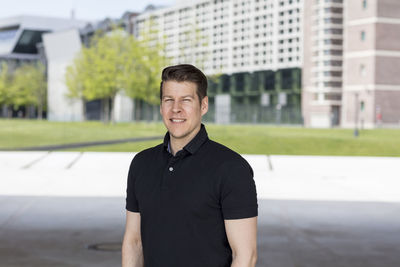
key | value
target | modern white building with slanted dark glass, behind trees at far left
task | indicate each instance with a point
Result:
(56, 42)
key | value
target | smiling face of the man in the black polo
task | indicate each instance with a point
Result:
(181, 109)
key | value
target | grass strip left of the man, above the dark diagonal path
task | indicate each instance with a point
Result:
(25, 133)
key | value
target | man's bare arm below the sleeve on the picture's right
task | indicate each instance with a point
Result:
(242, 237)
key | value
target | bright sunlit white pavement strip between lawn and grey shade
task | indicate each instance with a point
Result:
(277, 177)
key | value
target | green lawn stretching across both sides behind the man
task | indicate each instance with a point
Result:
(247, 139)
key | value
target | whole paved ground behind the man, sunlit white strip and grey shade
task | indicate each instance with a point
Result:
(313, 211)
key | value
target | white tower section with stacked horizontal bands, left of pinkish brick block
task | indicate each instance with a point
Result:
(323, 62)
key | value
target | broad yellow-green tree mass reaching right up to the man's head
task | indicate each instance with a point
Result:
(116, 62)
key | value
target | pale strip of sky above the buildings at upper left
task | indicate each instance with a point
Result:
(84, 9)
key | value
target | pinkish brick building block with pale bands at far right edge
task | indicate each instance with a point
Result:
(371, 80)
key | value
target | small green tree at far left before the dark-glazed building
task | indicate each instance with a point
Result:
(29, 87)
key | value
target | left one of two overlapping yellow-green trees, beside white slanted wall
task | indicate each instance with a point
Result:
(96, 71)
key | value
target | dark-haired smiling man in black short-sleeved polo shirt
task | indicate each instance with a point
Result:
(191, 202)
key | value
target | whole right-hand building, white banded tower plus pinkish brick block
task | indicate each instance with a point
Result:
(351, 58)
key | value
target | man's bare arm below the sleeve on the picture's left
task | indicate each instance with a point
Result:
(132, 251)
